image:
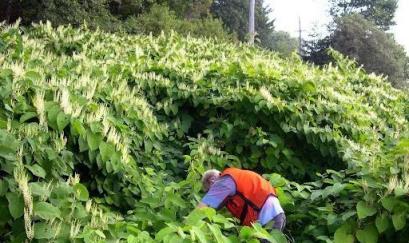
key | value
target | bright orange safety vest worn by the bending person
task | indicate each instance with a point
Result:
(252, 191)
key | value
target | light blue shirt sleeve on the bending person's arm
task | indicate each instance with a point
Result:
(221, 189)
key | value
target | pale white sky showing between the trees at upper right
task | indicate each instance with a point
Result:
(314, 17)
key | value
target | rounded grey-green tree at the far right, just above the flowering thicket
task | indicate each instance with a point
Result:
(360, 39)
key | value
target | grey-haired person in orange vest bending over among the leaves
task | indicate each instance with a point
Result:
(247, 196)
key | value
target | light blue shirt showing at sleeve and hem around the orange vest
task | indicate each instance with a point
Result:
(225, 186)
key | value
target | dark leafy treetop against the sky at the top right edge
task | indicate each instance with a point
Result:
(381, 12)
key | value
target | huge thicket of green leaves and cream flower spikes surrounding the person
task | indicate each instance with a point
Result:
(103, 138)
